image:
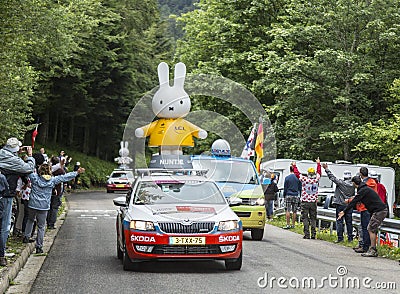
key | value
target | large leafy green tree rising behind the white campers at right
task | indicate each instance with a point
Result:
(329, 65)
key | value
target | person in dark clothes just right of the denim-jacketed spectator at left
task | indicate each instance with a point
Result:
(56, 195)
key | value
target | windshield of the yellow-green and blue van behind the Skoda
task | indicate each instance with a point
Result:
(242, 172)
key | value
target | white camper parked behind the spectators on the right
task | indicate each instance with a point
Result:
(326, 187)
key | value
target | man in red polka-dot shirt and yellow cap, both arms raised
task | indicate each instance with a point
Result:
(309, 197)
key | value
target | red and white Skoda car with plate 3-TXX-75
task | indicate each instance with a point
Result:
(177, 217)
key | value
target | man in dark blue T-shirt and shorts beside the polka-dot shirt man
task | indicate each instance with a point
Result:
(291, 194)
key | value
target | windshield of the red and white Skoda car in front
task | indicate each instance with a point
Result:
(177, 192)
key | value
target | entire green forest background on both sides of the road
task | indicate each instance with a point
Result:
(326, 72)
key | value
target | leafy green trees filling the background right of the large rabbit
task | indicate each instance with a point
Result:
(322, 68)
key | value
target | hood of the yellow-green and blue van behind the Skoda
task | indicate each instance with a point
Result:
(239, 190)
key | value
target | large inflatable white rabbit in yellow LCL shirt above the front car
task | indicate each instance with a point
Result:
(170, 104)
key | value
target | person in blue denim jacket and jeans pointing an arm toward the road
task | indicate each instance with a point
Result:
(39, 200)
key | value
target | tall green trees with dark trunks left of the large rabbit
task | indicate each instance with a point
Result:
(77, 65)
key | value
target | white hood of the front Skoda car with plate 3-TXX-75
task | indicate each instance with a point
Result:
(182, 212)
